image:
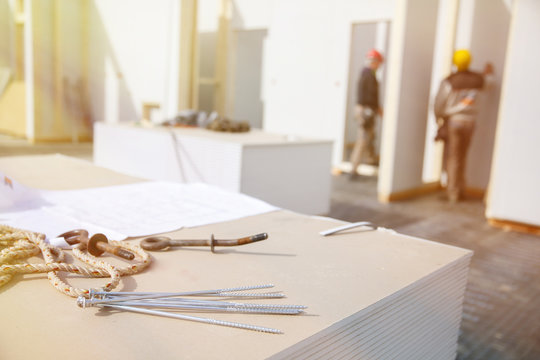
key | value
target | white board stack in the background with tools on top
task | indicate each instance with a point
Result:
(288, 172)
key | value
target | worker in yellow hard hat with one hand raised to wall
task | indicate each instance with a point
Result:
(456, 108)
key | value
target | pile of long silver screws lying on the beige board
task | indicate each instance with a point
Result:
(145, 302)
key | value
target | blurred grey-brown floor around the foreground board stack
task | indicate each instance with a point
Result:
(501, 318)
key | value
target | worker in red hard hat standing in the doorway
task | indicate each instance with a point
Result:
(366, 111)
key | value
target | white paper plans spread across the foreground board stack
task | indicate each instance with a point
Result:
(129, 210)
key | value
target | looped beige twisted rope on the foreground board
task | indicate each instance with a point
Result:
(21, 244)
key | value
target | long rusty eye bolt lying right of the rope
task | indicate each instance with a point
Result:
(155, 243)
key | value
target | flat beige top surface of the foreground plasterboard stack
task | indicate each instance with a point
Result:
(336, 277)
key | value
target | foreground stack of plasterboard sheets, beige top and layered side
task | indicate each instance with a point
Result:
(370, 293)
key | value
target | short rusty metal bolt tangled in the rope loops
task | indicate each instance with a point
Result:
(96, 245)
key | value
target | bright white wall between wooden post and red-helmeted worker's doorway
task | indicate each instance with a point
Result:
(305, 69)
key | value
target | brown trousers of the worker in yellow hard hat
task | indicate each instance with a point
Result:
(459, 138)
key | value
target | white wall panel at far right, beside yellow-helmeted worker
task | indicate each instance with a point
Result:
(514, 191)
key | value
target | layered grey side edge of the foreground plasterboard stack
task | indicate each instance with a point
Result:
(421, 321)
